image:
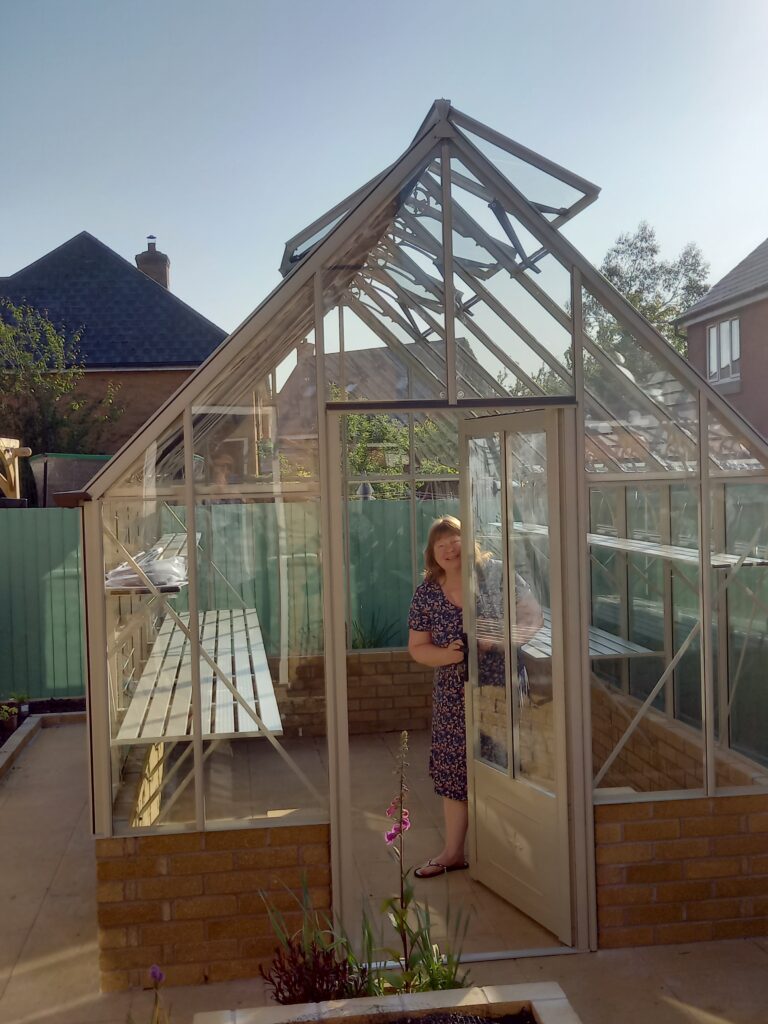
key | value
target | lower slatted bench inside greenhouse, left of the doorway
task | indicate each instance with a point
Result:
(161, 706)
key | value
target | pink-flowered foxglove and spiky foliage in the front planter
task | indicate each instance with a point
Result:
(319, 961)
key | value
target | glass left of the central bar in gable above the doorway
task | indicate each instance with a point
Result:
(386, 325)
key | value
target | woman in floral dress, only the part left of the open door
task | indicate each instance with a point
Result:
(436, 629)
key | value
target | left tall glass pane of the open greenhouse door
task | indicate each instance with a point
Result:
(491, 701)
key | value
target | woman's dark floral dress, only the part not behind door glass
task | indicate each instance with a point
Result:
(433, 613)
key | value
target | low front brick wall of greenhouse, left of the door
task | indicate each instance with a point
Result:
(192, 903)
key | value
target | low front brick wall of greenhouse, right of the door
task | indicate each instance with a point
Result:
(681, 871)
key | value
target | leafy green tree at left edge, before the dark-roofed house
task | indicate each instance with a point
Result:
(41, 369)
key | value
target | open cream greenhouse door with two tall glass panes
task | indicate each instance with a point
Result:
(519, 814)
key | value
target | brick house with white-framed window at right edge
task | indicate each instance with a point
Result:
(728, 334)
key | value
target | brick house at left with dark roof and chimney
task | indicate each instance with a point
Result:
(136, 332)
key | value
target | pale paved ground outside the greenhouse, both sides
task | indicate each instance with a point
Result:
(49, 956)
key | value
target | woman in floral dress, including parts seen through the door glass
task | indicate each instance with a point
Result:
(437, 638)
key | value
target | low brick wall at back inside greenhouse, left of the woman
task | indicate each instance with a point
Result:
(387, 691)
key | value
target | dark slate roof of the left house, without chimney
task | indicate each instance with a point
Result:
(127, 320)
